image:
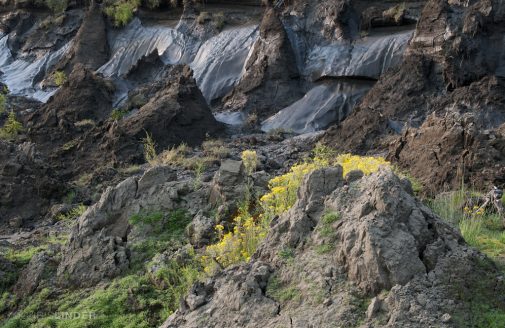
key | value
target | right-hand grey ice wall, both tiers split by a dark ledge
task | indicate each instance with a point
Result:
(330, 102)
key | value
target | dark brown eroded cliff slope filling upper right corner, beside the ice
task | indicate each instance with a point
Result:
(449, 75)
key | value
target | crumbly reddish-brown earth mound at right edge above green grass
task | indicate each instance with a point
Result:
(463, 139)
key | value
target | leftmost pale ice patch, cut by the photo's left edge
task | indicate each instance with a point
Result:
(22, 76)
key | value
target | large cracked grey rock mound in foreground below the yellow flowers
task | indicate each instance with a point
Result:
(341, 241)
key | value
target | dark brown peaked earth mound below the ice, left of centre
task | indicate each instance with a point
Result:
(176, 113)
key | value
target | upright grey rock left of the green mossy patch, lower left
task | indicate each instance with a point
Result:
(96, 249)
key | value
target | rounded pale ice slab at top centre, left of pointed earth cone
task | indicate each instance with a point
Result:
(220, 61)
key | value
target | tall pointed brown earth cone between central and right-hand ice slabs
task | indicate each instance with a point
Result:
(269, 82)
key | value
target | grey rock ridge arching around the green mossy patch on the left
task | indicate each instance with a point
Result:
(98, 246)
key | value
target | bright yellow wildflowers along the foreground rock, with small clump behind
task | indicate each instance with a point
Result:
(239, 244)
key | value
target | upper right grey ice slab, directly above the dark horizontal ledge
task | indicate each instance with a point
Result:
(368, 57)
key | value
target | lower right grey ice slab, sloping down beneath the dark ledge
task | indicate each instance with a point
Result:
(326, 103)
